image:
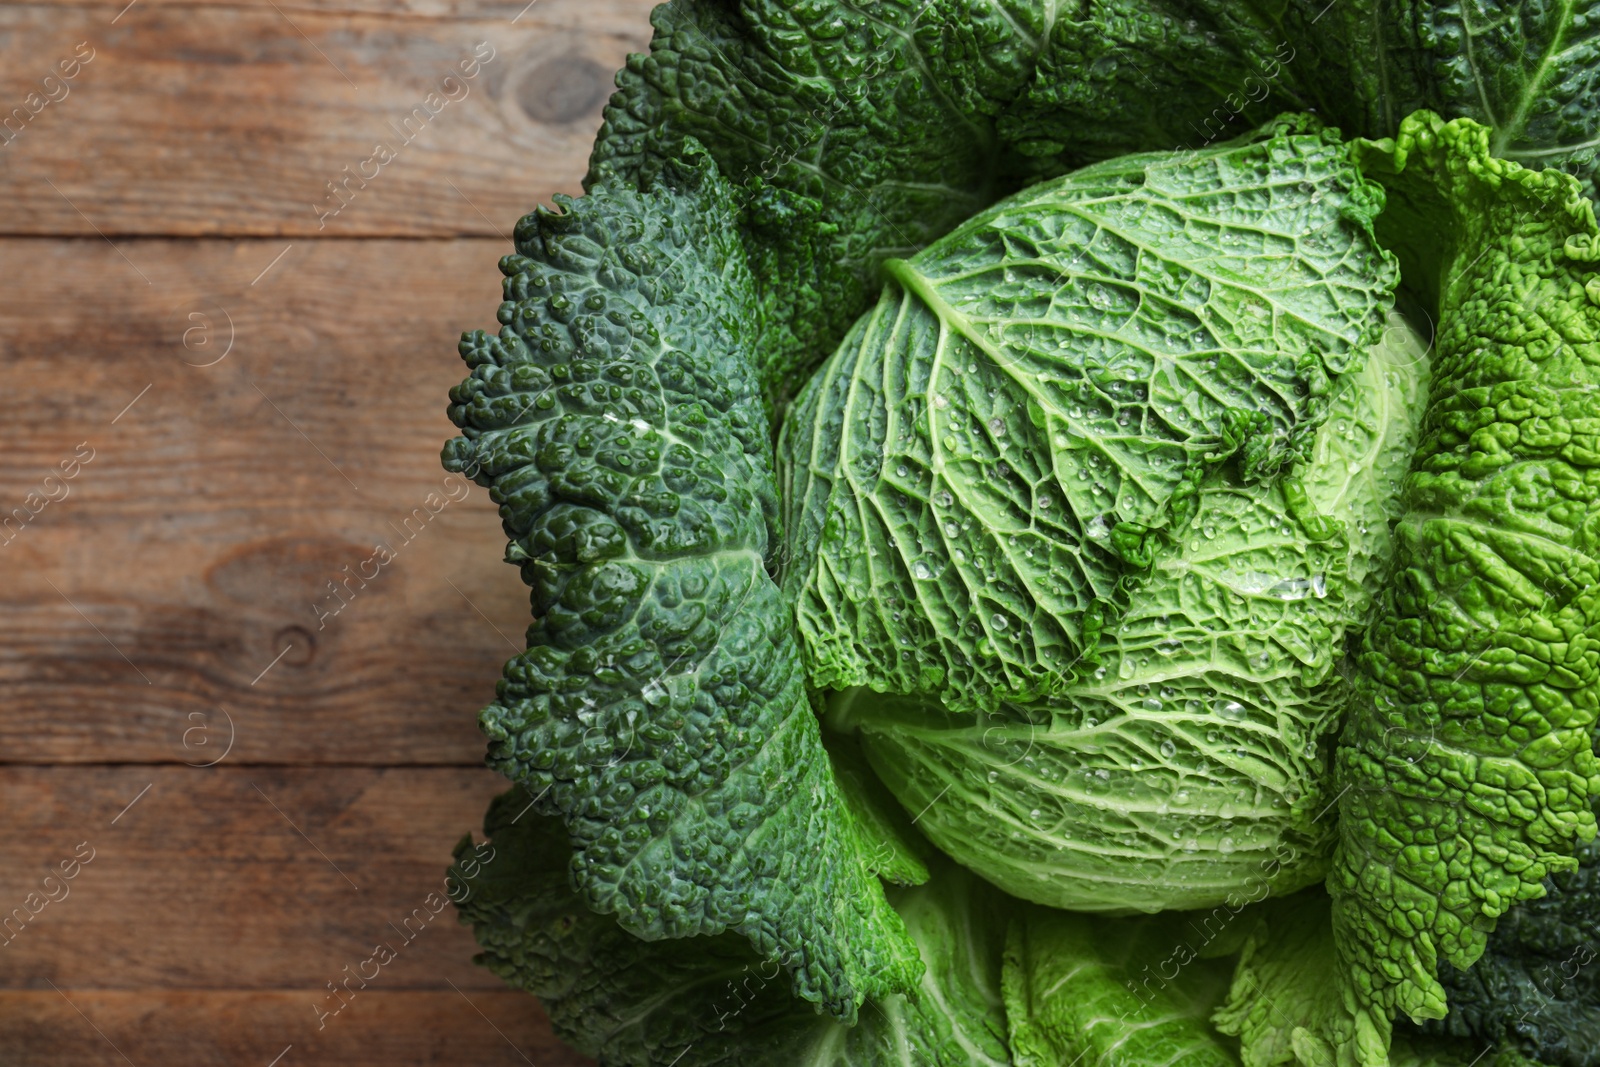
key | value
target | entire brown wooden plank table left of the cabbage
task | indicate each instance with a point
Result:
(222, 386)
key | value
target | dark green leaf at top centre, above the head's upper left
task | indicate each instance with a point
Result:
(855, 130)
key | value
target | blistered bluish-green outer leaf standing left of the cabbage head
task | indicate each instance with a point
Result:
(660, 708)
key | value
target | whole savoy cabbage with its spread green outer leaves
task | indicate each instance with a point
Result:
(993, 470)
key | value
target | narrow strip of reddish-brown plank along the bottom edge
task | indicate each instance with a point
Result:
(380, 1029)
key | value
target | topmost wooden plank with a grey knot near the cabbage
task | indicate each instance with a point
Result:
(196, 121)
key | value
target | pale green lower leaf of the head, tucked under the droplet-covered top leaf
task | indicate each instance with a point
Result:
(1193, 764)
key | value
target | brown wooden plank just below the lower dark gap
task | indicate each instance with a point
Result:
(236, 877)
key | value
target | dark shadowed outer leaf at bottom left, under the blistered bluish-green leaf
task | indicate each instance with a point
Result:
(711, 1002)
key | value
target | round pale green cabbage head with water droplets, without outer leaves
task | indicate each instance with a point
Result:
(1046, 541)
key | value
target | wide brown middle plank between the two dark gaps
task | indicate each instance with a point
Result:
(159, 591)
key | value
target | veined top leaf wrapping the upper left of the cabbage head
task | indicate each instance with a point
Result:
(972, 478)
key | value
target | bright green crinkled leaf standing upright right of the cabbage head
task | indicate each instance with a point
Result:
(1466, 769)
